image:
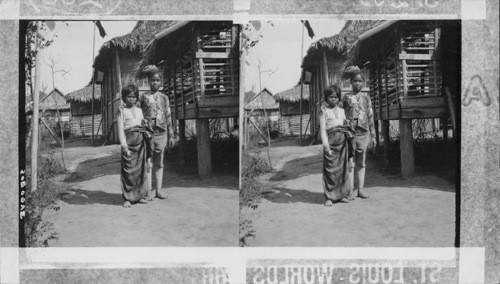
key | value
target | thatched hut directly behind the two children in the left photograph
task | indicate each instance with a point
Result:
(118, 60)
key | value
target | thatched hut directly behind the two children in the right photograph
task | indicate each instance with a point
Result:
(324, 61)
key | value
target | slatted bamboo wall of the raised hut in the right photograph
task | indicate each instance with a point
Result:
(405, 75)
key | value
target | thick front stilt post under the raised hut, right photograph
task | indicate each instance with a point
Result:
(406, 147)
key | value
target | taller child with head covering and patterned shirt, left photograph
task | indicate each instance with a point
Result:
(156, 109)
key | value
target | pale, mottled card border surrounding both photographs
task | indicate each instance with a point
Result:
(297, 265)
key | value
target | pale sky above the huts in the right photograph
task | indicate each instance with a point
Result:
(280, 48)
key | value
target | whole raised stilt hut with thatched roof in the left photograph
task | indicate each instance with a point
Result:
(200, 64)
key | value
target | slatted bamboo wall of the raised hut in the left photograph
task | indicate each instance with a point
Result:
(203, 80)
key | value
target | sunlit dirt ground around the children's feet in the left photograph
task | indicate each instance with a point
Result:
(198, 212)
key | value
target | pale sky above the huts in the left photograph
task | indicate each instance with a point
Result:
(73, 49)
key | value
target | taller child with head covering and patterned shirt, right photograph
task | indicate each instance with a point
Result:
(359, 113)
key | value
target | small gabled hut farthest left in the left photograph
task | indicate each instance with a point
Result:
(51, 106)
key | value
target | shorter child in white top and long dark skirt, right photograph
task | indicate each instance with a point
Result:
(337, 139)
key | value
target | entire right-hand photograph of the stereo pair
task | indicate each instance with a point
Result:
(351, 133)
